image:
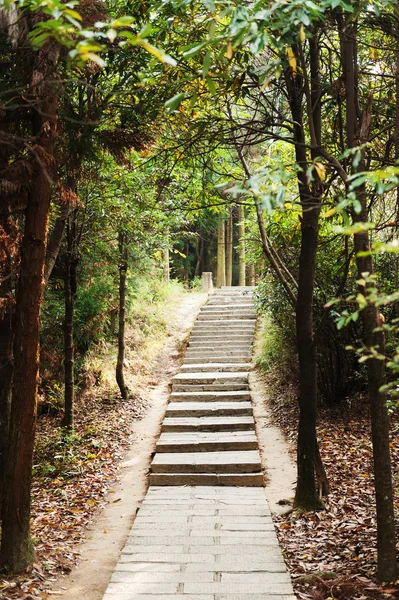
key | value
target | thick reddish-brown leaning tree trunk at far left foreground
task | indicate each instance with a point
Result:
(16, 544)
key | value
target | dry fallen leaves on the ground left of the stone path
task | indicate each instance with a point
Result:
(72, 475)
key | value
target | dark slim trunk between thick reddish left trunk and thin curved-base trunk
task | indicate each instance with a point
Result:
(70, 288)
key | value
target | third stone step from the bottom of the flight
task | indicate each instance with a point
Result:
(207, 441)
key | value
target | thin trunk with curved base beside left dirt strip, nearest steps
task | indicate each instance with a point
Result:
(123, 250)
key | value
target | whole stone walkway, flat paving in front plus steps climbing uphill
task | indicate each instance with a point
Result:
(204, 530)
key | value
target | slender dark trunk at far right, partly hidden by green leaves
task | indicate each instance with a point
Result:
(358, 126)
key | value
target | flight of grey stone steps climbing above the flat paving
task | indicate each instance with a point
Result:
(208, 434)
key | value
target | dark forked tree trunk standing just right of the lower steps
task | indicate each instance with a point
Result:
(306, 496)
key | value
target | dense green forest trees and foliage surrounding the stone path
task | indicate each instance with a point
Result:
(140, 140)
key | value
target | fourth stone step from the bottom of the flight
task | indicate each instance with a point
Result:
(208, 424)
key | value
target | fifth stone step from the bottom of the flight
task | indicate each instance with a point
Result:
(208, 409)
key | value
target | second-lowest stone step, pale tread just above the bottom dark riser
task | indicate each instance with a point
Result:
(245, 461)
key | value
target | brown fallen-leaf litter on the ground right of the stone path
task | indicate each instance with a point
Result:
(331, 554)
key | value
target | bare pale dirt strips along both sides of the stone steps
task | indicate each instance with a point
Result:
(107, 534)
